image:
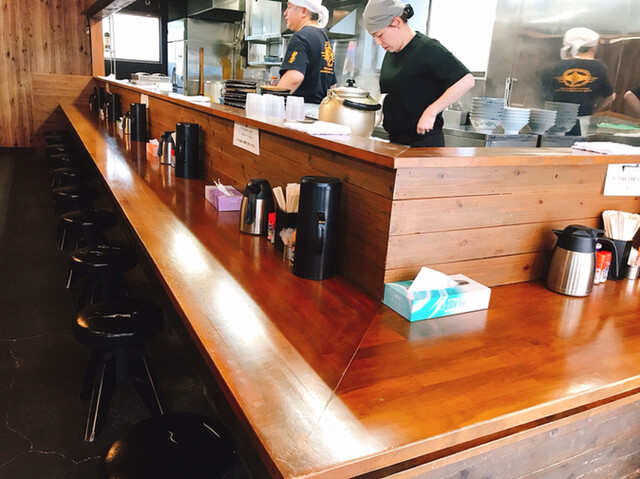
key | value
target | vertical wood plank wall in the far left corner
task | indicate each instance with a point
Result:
(38, 38)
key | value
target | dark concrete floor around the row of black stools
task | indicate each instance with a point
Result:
(42, 417)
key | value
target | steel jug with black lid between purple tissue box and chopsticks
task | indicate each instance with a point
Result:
(257, 203)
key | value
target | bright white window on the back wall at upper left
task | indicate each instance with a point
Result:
(132, 37)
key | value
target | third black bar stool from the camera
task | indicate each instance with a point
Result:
(102, 267)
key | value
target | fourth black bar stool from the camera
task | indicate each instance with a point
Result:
(84, 225)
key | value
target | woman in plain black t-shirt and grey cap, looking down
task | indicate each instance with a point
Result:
(419, 75)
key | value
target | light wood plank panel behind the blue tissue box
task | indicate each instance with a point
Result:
(493, 224)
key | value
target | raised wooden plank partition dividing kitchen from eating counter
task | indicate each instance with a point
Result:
(483, 212)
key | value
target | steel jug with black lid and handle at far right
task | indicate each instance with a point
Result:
(574, 260)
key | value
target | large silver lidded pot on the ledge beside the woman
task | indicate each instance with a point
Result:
(353, 107)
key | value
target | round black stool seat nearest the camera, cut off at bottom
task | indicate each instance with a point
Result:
(177, 445)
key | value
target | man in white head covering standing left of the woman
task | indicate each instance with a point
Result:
(307, 68)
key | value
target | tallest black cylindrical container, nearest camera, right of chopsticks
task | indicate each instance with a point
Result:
(316, 250)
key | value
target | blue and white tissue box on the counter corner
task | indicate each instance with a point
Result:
(467, 296)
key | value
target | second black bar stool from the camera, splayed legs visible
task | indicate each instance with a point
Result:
(116, 333)
